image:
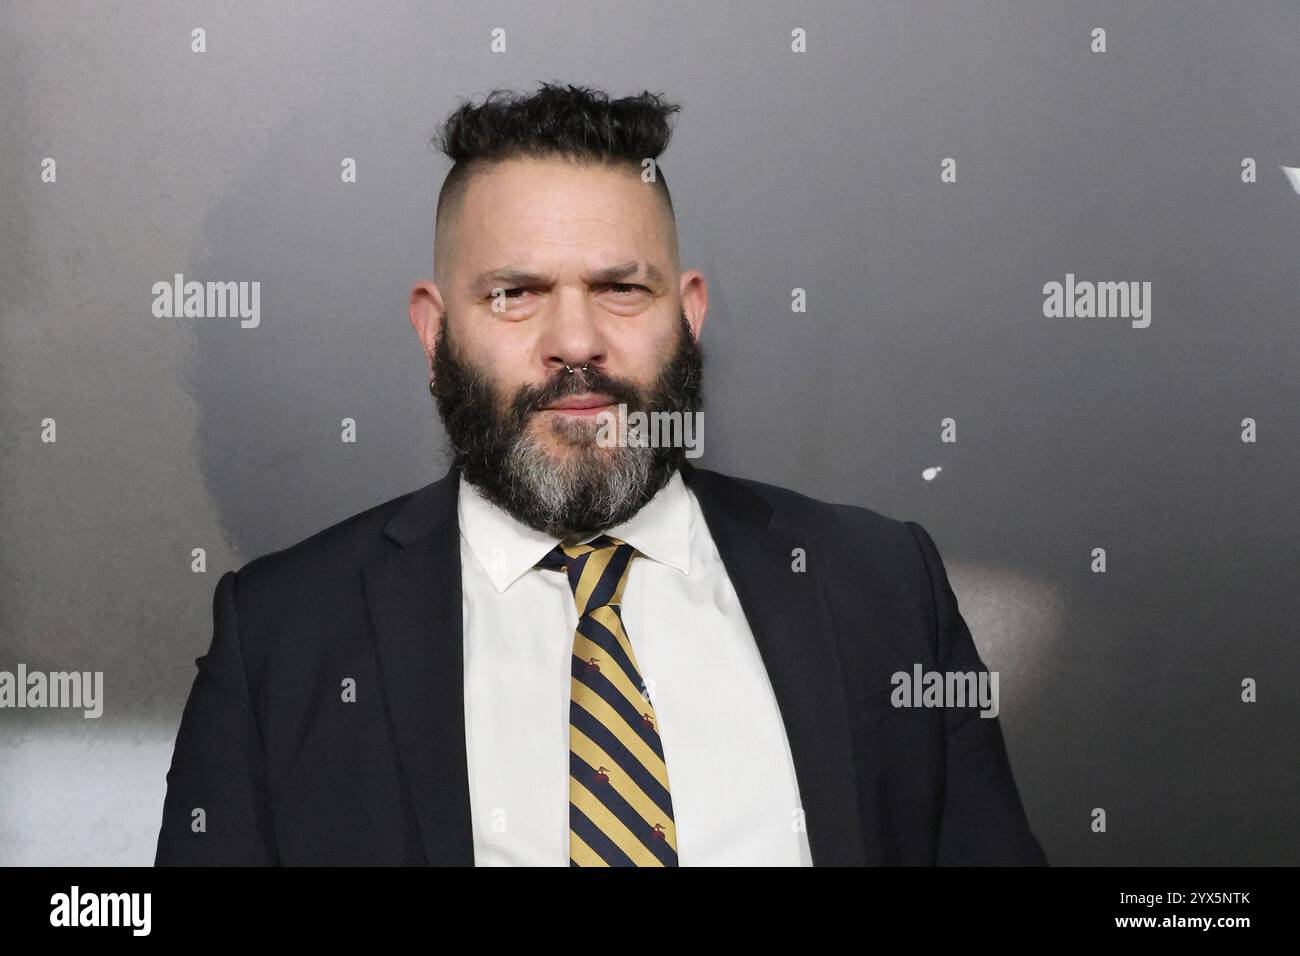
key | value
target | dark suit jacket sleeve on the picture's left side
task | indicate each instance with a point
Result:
(218, 810)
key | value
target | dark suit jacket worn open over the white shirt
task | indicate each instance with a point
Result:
(289, 773)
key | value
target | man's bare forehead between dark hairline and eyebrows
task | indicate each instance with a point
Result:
(538, 211)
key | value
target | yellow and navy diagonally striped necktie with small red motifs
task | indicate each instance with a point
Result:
(621, 814)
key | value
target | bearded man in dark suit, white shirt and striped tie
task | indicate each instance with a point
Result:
(577, 651)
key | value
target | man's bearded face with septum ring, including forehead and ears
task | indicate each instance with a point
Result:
(549, 267)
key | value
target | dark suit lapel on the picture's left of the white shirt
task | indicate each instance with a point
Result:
(415, 604)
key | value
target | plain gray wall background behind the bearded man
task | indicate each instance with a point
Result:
(818, 171)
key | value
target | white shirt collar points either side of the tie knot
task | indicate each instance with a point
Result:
(506, 548)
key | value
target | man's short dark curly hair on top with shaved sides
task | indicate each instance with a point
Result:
(574, 123)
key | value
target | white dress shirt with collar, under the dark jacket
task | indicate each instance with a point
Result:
(735, 795)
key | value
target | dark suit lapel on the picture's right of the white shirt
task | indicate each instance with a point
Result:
(794, 631)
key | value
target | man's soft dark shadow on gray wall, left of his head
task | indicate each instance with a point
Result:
(335, 263)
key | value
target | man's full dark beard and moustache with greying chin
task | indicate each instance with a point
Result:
(578, 487)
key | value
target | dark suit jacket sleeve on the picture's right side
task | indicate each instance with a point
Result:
(983, 820)
